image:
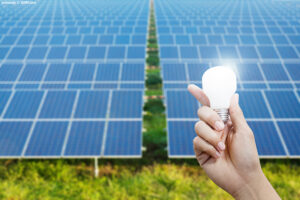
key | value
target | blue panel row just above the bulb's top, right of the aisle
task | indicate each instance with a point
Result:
(230, 52)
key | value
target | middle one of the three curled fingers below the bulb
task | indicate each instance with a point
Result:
(206, 133)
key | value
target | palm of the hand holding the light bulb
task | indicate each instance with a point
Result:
(232, 168)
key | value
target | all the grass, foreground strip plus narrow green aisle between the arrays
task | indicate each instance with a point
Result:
(152, 177)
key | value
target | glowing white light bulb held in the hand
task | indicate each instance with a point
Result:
(219, 84)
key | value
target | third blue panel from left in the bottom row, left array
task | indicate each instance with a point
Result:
(82, 144)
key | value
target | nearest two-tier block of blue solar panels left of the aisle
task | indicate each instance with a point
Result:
(61, 123)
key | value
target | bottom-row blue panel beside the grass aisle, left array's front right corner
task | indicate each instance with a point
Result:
(120, 143)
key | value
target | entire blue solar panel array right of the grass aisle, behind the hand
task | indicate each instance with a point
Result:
(260, 39)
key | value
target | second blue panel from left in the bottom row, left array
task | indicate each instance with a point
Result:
(47, 139)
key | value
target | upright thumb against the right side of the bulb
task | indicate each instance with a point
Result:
(236, 113)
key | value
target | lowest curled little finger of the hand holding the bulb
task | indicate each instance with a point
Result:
(201, 145)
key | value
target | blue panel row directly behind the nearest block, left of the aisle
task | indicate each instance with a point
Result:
(71, 76)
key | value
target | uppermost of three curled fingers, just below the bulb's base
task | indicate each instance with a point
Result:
(210, 117)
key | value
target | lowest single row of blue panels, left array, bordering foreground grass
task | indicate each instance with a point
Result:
(54, 139)
